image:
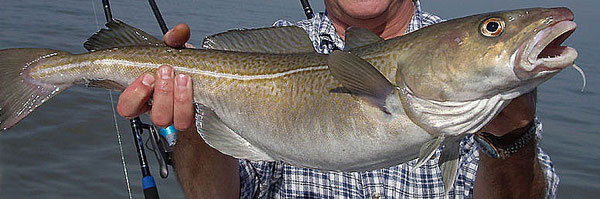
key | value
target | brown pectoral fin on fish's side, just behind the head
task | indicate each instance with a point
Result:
(360, 78)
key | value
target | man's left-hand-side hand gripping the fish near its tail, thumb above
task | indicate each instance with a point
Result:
(172, 94)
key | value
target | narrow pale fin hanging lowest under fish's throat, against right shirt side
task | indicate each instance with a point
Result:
(449, 162)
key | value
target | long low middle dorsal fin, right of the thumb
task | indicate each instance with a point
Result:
(280, 40)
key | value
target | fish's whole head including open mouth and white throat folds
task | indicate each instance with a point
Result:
(458, 75)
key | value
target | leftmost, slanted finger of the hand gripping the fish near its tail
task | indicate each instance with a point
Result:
(133, 101)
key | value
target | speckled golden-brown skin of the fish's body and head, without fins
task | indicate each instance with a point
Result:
(282, 104)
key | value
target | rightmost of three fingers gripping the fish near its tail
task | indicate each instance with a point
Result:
(182, 108)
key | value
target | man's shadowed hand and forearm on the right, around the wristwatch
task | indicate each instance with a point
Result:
(520, 173)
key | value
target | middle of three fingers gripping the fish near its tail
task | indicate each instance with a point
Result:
(162, 106)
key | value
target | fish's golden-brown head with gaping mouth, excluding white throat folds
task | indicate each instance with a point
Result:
(480, 56)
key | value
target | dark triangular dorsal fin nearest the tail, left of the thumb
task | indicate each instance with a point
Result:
(119, 34)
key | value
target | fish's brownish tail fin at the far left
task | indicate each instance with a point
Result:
(20, 95)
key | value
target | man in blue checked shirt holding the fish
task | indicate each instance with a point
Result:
(206, 173)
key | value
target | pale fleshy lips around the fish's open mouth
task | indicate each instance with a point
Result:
(532, 62)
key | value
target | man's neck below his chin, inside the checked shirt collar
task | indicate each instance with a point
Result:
(391, 23)
